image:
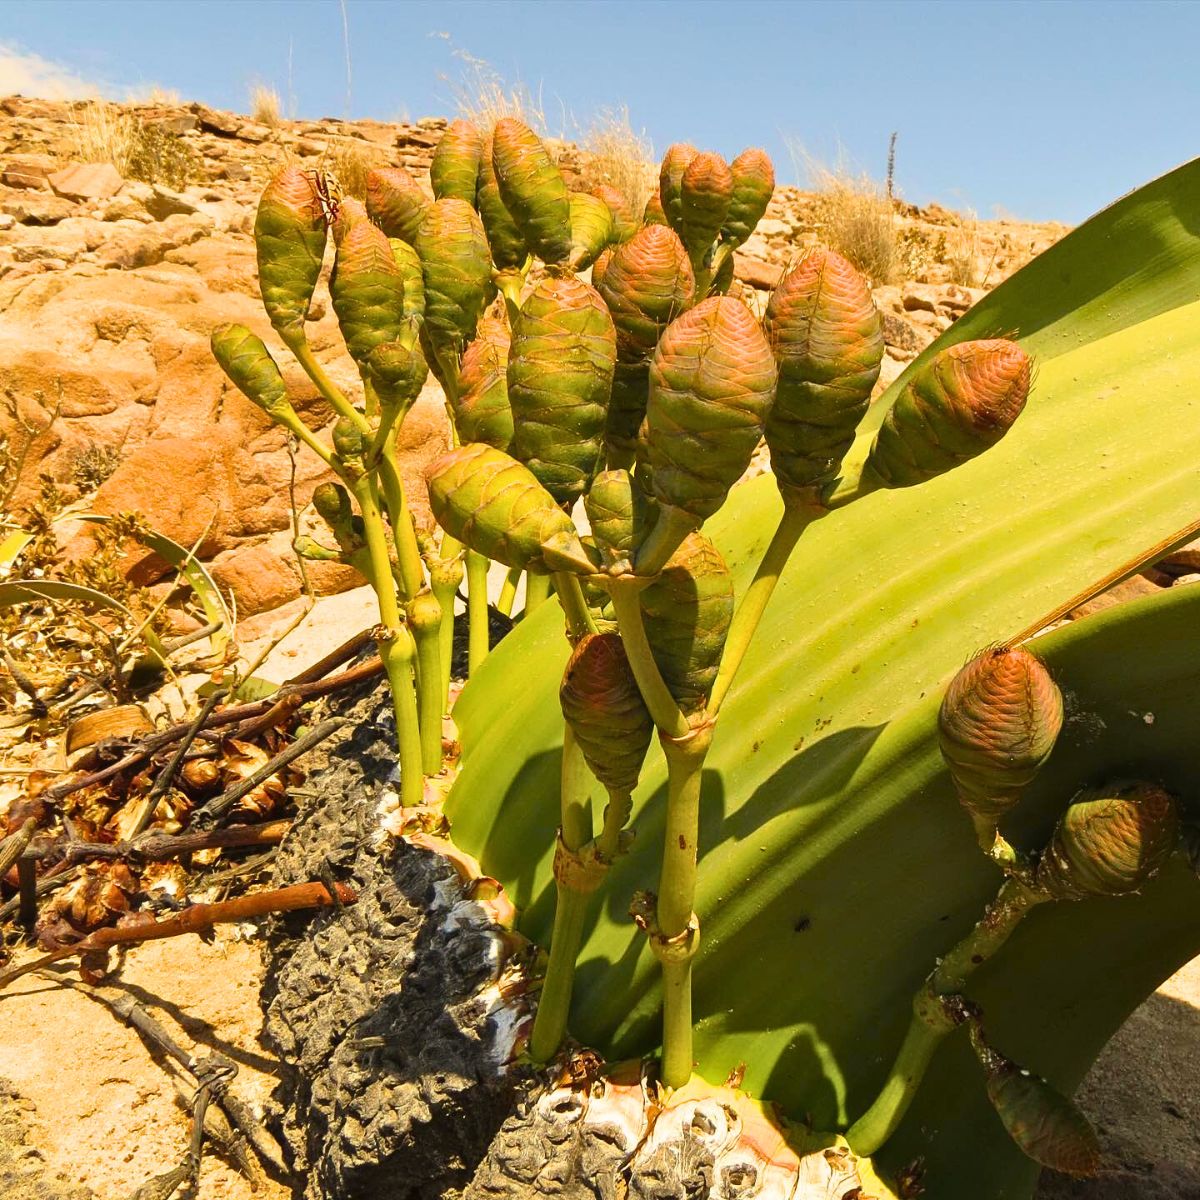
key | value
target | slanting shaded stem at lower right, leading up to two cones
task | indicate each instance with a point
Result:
(931, 1022)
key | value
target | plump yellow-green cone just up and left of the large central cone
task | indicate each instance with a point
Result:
(458, 272)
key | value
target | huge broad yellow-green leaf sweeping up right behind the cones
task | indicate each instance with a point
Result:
(836, 865)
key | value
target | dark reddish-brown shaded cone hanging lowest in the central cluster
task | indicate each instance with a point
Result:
(605, 711)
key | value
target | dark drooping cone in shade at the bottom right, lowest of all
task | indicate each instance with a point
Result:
(1045, 1124)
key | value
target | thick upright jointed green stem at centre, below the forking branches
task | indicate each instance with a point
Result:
(676, 896)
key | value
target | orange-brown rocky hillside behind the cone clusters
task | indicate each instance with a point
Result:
(125, 238)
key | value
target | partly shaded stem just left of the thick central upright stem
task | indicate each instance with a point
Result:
(555, 1004)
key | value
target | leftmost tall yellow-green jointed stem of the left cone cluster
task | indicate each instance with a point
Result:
(399, 652)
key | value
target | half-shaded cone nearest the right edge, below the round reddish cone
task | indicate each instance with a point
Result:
(1111, 842)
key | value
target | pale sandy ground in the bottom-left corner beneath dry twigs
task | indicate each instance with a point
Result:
(98, 1107)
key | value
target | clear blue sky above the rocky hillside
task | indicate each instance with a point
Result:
(1042, 110)
